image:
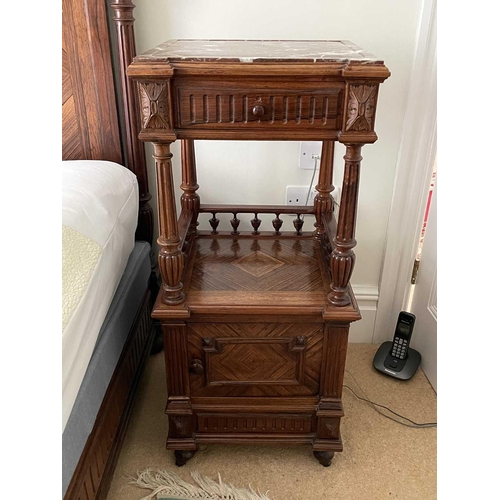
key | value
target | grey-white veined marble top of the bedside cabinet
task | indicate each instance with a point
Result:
(248, 51)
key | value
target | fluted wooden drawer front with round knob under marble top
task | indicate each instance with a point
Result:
(259, 104)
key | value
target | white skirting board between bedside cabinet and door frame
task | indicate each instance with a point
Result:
(361, 332)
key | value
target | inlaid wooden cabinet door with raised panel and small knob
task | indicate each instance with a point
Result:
(254, 359)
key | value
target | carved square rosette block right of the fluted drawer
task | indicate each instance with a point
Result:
(361, 108)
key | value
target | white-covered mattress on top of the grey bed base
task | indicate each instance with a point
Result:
(100, 203)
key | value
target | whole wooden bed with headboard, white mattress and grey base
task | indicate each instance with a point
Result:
(109, 281)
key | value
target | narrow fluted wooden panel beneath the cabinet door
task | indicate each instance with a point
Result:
(258, 423)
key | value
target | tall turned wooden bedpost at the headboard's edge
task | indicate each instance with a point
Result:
(135, 153)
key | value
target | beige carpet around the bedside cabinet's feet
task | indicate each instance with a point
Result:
(381, 459)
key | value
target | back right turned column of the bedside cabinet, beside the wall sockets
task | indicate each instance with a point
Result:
(323, 202)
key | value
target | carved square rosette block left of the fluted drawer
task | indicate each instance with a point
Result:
(154, 105)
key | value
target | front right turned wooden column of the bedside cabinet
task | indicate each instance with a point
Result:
(342, 257)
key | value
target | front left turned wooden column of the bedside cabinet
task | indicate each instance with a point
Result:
(170, 258)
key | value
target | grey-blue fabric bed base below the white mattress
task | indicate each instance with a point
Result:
(109, 346)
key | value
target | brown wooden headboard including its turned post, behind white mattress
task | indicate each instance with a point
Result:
(90, 126)
